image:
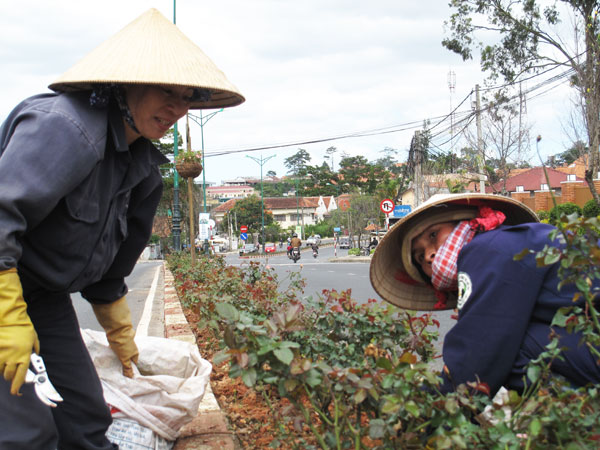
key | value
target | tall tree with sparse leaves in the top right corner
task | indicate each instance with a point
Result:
(527, 37)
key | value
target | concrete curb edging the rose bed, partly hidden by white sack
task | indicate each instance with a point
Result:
(209, 430)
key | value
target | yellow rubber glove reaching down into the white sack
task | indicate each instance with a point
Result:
(115, 318)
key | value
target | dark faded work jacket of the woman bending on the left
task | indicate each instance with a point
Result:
(76, 202)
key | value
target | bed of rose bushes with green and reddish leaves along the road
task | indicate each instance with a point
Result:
(340, 375)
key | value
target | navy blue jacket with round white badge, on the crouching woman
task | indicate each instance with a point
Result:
(505, 311)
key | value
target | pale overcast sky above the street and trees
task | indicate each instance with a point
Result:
(309, 70)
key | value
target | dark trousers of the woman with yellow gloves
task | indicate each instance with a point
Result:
(81, 420)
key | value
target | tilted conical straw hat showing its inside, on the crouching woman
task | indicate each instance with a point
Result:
(393, 275)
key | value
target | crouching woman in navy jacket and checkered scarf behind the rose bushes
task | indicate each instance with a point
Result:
(457, 251)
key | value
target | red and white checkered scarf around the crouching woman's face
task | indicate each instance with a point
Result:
(444, 267)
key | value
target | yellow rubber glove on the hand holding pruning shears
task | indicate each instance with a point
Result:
(17, 335)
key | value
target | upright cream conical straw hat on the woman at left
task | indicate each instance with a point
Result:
(151, 50)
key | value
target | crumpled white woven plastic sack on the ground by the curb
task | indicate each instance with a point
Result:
(168, 384)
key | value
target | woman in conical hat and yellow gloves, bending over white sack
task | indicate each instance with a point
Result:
(79, 186)
